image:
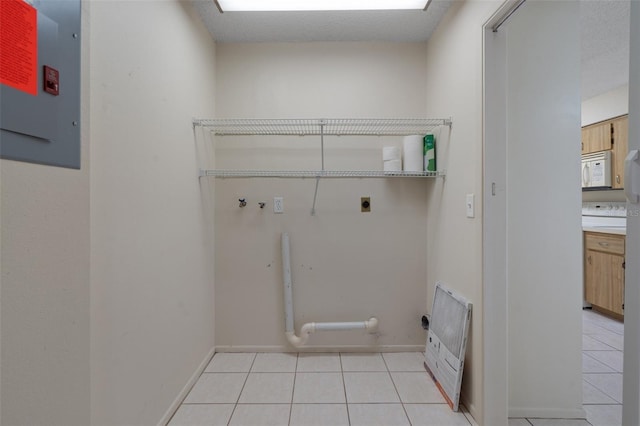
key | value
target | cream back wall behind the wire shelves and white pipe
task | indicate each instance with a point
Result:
(346, 265)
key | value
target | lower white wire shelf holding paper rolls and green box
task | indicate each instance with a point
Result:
(317, 174)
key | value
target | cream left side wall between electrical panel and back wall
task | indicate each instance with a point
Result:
(152, 70)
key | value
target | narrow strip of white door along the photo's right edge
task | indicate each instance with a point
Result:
(631, 367)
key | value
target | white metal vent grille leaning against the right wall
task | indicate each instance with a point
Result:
(447, 342)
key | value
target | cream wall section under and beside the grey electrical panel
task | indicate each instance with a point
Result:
(44, 280)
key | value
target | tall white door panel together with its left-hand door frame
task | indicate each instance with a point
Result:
(532, 219)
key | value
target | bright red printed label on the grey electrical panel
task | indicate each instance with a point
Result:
(19, 45)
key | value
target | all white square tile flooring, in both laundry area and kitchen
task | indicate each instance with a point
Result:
(389, 389)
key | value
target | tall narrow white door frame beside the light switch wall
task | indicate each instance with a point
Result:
(494, 232)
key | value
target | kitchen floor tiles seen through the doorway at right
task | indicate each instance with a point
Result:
(602, 344)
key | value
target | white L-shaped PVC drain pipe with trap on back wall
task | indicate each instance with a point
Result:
(371, 324)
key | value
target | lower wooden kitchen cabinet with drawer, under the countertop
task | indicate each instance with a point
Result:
(604, 257)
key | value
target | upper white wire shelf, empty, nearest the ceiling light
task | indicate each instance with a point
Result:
(327, 127)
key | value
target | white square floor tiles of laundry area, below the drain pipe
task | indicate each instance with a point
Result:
(370, 389)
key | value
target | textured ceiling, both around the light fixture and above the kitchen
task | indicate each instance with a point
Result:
(604, 32)
